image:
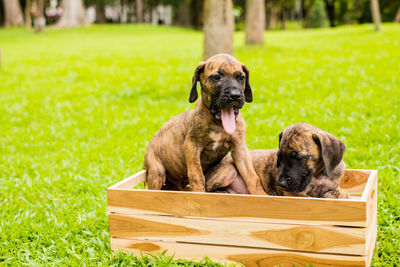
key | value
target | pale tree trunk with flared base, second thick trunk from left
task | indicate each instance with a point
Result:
(73, 14)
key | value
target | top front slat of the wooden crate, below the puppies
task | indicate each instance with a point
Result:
(346, 212)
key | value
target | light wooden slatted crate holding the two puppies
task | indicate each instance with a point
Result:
(248, 229)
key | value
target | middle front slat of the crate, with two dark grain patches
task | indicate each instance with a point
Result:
(240, 233)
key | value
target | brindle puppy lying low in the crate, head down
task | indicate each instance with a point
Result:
(307, 163)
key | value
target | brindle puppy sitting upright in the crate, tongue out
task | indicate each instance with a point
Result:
(191, 143)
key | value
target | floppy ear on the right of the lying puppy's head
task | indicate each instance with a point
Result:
(332, 150)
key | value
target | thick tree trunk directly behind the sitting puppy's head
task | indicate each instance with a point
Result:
(218, 27)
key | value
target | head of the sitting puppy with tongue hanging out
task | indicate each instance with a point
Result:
(224, 86)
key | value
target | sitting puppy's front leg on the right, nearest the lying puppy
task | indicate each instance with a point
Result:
(244, 164)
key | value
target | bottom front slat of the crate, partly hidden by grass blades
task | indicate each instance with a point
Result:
(225, 254)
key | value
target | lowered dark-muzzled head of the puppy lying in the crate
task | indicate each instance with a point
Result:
(304, 151)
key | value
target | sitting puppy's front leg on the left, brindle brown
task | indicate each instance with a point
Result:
(195, 172)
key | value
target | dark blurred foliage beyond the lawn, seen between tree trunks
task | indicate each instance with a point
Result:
(188, 13)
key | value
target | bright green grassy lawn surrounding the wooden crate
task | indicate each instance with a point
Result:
(78, 108)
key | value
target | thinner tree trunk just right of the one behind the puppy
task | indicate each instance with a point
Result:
(255, 21)
